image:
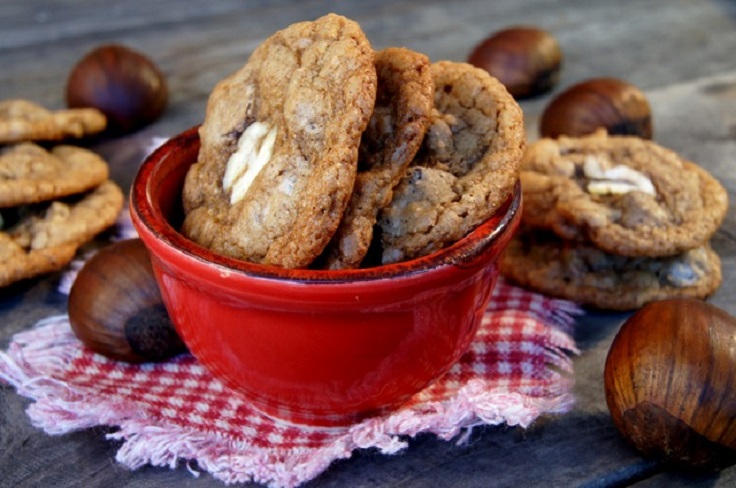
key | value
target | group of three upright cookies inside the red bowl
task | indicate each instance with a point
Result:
(320, 149)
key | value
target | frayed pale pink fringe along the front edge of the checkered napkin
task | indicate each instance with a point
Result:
(59, 409)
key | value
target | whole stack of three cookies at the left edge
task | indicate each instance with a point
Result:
(53, 197)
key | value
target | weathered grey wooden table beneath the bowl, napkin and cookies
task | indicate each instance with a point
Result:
(680, 52)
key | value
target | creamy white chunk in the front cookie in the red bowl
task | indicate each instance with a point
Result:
(255, 148)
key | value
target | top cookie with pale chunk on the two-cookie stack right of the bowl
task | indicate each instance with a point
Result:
(625, 195)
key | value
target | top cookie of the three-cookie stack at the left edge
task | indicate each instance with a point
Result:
(21, 120)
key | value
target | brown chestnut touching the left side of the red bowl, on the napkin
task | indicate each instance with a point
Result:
(115, 306)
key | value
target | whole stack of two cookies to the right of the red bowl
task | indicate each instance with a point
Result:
(615, 222)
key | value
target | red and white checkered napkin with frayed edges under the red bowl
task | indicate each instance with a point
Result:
(517, 368)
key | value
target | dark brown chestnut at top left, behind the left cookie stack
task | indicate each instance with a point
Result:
(122, 83)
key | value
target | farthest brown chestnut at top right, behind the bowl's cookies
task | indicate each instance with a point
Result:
(526, 60)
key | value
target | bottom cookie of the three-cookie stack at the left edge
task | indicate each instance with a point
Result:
(44, 238)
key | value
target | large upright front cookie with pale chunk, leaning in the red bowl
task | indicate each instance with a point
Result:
(279, 145)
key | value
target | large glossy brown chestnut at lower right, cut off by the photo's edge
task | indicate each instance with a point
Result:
(670, 378)
